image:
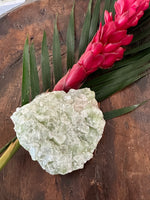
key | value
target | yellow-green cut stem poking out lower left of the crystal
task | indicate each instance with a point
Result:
(11, 150)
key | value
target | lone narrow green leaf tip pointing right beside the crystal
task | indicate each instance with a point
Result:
(117, 113)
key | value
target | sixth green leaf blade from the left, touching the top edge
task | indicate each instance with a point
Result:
(85, 31)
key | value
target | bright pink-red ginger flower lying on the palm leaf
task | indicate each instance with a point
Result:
(106, 46)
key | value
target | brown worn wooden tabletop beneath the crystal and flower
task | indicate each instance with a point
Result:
(120, 168)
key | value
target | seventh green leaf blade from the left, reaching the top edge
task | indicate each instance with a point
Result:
(94, 20)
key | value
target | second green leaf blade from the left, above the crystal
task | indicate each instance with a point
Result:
(35, 90)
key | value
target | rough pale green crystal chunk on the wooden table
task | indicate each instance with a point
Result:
(60, 130)
